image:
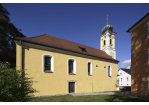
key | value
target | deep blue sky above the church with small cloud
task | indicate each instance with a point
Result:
(80, 22)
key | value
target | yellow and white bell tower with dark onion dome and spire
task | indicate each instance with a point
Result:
(107, 40)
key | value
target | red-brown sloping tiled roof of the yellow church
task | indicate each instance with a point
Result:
(51, 41)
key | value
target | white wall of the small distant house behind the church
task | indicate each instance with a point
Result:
(124, 76)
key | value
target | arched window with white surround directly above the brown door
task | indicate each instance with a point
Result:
(71, 66)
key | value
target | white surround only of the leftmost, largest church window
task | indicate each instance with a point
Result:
(52, 62)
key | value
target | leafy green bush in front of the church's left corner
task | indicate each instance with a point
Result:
(13, 86)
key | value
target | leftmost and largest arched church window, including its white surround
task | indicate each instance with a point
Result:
(48, 63)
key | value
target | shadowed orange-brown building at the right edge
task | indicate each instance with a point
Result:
(140, 57)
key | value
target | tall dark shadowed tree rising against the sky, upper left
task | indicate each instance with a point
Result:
(7, 30)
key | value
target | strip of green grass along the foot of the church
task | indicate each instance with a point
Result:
(85, 98)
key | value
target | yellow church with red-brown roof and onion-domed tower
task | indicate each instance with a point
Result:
(61, 67)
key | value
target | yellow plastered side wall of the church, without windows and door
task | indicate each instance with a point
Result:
(57, 82)
